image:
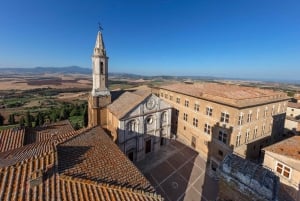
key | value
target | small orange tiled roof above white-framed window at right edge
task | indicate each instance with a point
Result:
(289, 147)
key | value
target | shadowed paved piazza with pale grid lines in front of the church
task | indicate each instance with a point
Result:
(178, 173)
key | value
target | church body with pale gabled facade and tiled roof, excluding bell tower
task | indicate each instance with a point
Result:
(140, 122)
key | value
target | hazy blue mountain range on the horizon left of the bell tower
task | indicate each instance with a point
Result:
(43, 70)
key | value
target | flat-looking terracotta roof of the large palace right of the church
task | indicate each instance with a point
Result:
(239, 96)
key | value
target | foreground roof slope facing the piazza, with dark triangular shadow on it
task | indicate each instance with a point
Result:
(94, 156)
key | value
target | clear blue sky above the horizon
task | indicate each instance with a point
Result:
(232, 38)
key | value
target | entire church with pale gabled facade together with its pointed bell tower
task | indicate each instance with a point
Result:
(139, 121)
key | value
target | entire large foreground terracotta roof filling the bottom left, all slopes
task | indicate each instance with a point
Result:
(30, 172)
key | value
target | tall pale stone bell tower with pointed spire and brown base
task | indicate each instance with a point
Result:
(100, 95)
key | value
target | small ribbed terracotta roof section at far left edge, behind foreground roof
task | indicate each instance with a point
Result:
(11, 138)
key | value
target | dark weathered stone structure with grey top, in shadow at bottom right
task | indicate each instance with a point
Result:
(242, 180)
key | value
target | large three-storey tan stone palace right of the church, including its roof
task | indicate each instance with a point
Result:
(218, 119)
